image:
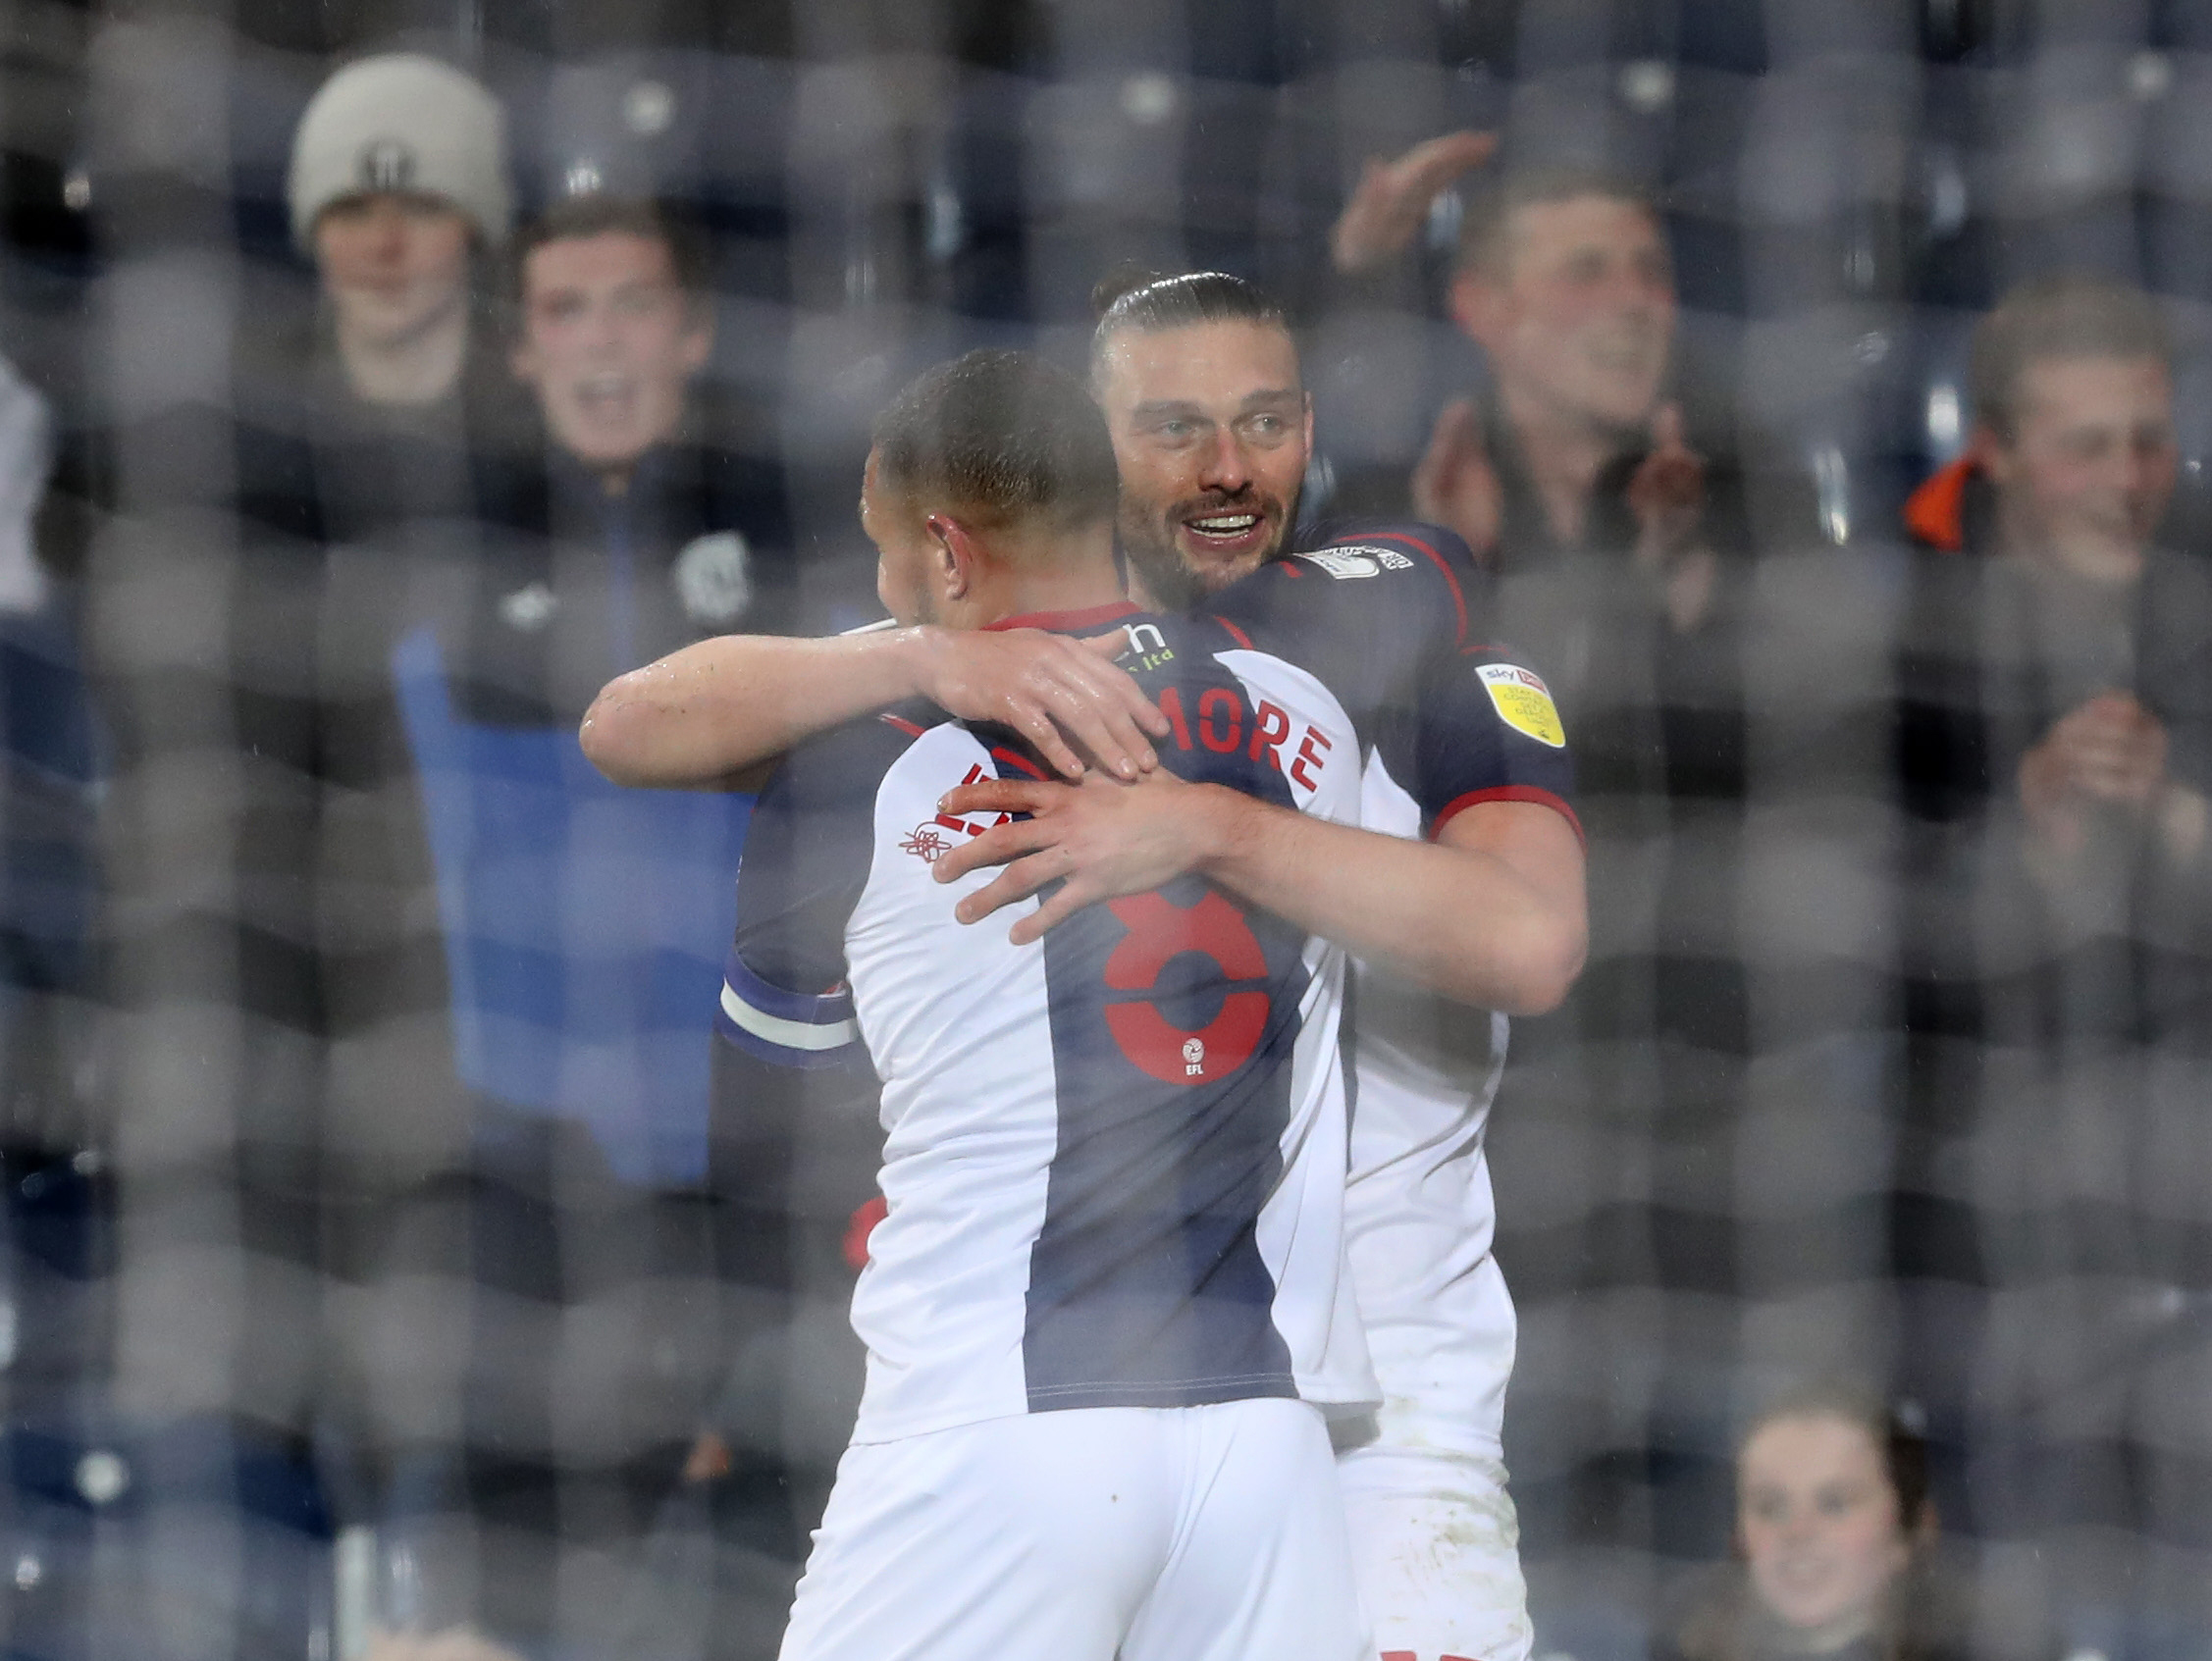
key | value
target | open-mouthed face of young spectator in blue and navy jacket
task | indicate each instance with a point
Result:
(609, 344)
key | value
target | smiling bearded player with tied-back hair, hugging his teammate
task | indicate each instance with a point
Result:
(1211, 430)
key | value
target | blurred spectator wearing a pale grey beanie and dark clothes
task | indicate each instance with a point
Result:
(333, 499)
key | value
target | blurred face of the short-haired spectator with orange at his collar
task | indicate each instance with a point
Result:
(2091, 466)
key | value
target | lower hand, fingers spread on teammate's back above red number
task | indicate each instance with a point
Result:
(1107, 839)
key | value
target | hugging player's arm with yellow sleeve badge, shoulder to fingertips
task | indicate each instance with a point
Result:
(1490, 912)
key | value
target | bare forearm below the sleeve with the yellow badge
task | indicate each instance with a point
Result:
(1457, 919)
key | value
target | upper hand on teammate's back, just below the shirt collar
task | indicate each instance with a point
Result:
(1065, 696)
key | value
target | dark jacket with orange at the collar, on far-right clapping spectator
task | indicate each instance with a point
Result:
(1992, 654)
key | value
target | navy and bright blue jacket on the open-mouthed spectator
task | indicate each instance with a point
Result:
(587, 1012)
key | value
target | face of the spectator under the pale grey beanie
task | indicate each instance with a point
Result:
(395, 264)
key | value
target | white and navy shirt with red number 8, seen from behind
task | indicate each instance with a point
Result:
(1116, 1160)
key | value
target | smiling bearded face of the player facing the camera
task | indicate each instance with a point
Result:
(1211, 430)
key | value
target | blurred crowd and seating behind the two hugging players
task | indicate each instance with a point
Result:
(1826, 390)
